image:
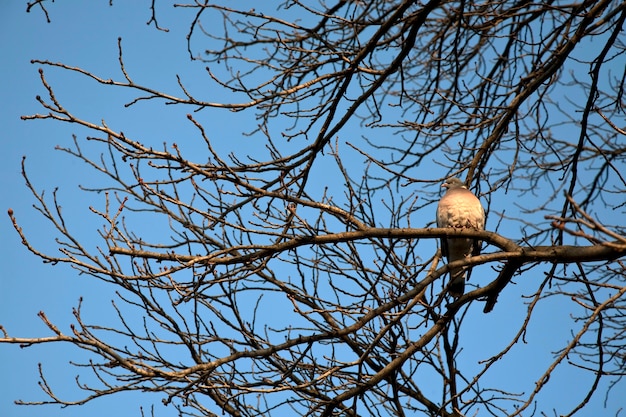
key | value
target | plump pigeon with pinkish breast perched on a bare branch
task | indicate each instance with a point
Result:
(459, 208)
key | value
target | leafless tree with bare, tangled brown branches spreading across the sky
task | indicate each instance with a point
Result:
(300, 274)
